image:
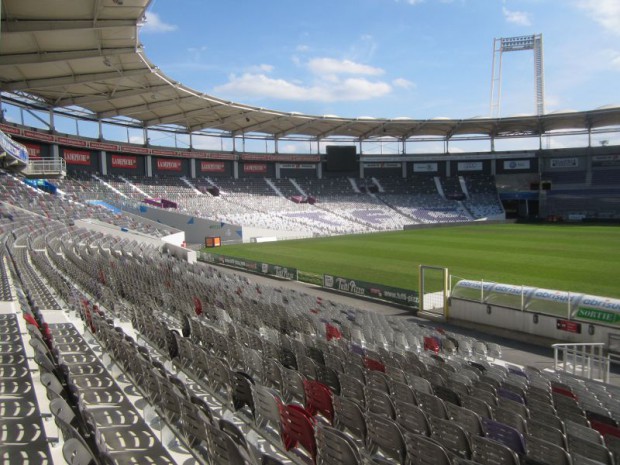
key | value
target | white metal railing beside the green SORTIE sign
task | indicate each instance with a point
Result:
(588, 360)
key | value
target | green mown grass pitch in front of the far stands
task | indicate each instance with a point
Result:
(573, 258)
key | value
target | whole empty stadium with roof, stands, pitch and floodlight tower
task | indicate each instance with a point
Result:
(176, 304)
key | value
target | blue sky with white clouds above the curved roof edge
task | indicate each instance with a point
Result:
(387, 58)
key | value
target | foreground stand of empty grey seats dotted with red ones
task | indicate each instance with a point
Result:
(260, 375)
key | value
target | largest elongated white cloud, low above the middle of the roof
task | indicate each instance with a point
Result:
(251, 85)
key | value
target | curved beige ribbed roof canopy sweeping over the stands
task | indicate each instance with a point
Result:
(87, 54)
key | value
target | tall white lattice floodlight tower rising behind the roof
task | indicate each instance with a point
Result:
(517, 44)
